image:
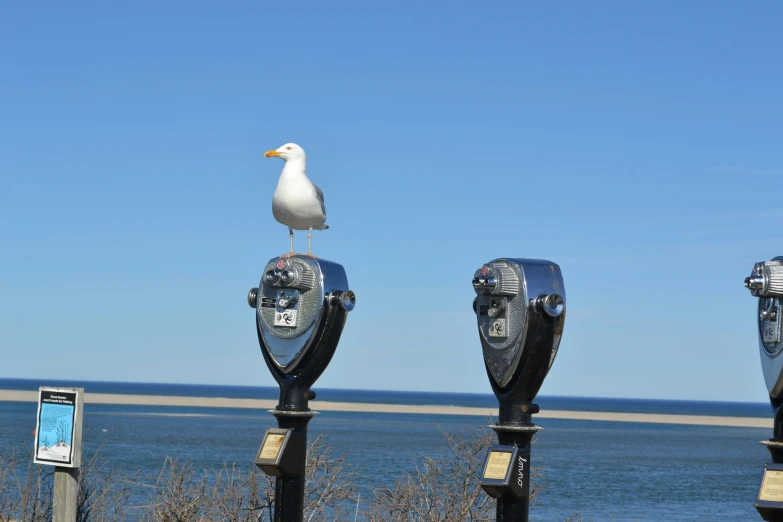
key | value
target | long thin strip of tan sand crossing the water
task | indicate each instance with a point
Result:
(219, 402)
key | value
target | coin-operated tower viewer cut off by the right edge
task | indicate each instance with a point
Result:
(766, 283)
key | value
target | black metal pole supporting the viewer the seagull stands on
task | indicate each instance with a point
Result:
(290, 490)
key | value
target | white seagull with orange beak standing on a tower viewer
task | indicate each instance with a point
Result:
(298, 203)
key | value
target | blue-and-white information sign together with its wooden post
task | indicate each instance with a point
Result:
(58, 442)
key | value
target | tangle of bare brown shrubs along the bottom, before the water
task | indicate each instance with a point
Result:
(443, 489)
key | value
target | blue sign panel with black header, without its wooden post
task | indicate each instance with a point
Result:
(58, 427)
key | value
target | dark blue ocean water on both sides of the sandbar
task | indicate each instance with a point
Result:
(602, 470)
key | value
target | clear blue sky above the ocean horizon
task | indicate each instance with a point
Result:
(636, 144)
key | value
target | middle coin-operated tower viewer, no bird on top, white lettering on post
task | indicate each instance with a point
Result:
(520, 308)
